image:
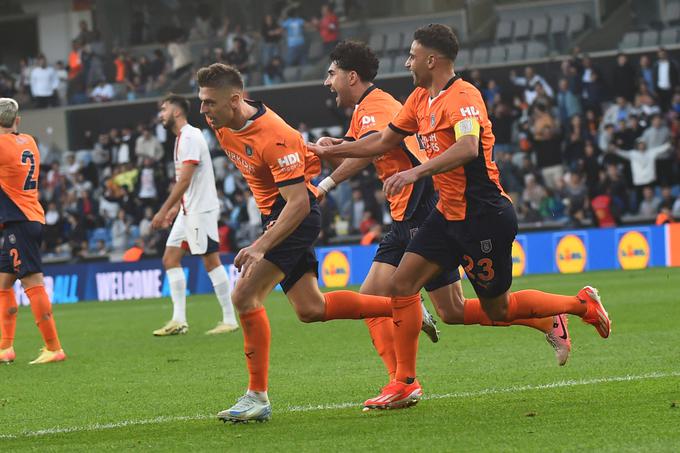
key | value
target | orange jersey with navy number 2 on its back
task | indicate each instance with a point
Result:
(19, 172)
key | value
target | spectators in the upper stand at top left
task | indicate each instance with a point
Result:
(93, 73)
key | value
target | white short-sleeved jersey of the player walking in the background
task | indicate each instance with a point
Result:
(191, 148)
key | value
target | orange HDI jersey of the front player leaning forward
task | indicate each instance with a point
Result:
(270, 154)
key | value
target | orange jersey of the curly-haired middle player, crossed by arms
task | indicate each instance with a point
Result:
(373, 113)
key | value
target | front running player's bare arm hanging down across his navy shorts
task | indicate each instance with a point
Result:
(294, 212)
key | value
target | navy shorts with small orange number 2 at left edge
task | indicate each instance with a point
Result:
(20, 251)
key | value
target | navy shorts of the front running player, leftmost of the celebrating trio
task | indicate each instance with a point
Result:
(295, 256)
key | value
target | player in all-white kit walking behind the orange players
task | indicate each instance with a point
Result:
(194, 207)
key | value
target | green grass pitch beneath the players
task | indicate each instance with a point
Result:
(167, 390)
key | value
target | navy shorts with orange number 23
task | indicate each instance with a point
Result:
(481, 244)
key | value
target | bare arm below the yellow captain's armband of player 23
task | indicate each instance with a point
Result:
(460, 153)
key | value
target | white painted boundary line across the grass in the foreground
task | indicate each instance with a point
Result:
(321, 407)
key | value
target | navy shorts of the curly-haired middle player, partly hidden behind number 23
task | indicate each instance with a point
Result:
(394, 245)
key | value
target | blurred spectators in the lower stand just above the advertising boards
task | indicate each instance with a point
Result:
(587, 152)
